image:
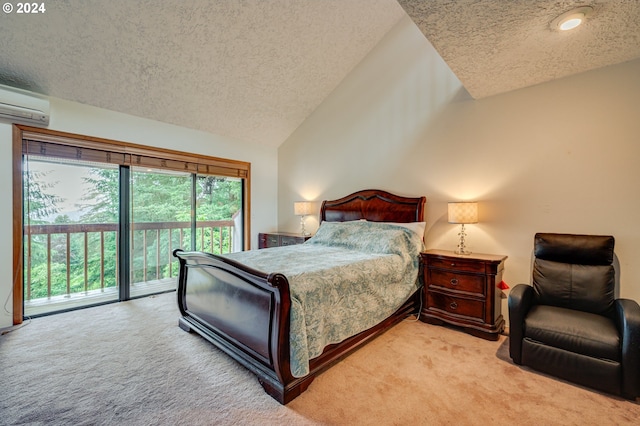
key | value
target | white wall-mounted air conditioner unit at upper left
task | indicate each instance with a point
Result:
(21, 106)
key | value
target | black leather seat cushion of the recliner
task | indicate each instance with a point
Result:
(574, 331)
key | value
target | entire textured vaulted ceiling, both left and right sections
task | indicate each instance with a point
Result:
(254, 70)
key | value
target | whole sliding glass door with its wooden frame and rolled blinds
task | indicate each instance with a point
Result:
(78, 197)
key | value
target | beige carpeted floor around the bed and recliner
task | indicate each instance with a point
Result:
(129, 363)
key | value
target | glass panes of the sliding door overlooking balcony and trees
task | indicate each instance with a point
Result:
(73, 236)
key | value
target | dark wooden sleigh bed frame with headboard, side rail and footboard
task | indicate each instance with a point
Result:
(245, 312)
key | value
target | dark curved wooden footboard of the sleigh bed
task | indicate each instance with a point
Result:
(242, 311)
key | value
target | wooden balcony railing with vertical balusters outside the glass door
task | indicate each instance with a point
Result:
(152, 245)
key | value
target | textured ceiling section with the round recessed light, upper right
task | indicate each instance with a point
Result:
(497, 46)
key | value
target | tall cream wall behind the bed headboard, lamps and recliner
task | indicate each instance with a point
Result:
(557, 157)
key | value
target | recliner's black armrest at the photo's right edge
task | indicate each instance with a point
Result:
(628, 322)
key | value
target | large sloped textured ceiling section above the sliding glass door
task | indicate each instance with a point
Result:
(252, 70)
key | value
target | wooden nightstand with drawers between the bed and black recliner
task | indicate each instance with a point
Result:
(461, 290)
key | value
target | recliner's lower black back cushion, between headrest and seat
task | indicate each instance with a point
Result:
(588, 288)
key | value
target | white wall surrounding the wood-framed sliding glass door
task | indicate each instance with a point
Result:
(82, 119)
